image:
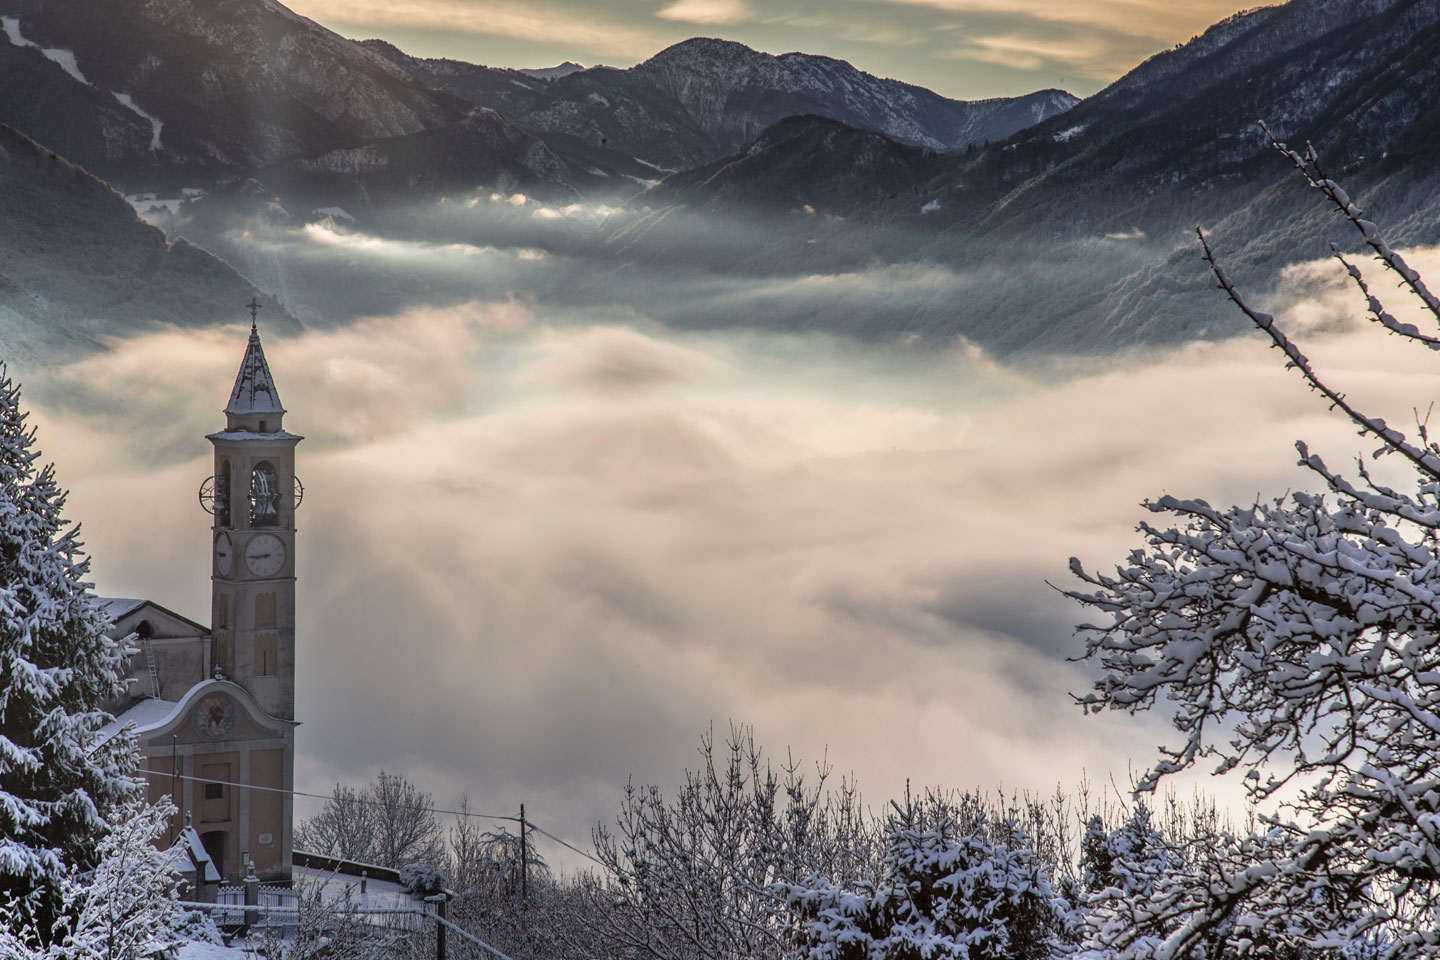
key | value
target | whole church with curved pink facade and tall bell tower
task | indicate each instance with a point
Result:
(215, 707)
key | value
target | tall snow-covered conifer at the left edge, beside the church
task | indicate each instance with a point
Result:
(60, 782)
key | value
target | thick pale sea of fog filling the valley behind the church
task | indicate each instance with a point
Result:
(544, 552)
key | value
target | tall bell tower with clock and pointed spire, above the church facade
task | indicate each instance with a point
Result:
(253, 499)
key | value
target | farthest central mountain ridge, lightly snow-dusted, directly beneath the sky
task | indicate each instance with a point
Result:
(701, 99)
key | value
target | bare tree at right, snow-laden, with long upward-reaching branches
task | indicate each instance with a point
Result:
(1300, 644)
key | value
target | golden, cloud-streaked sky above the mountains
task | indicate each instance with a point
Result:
(967, 50)
